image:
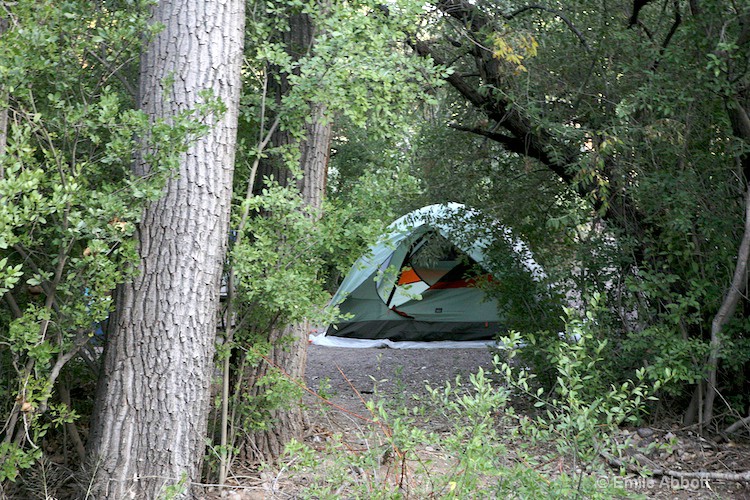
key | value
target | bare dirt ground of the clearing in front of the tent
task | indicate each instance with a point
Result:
(397, 376)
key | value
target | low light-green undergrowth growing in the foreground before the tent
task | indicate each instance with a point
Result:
(488, 449)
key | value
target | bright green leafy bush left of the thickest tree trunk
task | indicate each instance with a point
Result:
(70, 201)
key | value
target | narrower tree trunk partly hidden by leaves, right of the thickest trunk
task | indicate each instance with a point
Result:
(290, 342)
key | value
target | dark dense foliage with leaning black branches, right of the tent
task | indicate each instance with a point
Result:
(619, 145)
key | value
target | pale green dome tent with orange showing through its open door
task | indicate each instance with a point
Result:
(418, 281)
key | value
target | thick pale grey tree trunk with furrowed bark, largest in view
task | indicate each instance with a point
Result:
(151, 412)
